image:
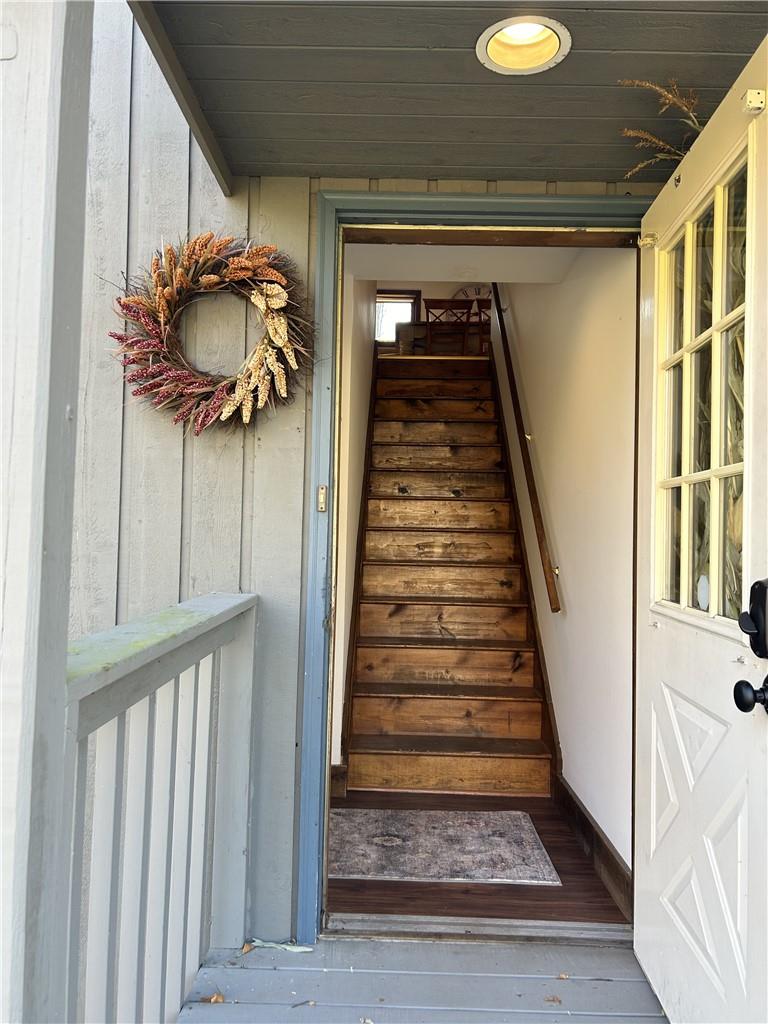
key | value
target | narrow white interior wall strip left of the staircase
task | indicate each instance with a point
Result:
(357, 362)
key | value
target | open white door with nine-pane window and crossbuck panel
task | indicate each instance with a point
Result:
(702, 765)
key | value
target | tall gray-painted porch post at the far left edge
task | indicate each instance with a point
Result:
(47, 82)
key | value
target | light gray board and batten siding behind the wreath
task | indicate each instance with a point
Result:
(161, 516)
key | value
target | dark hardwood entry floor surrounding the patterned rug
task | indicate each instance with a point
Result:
(582, 898)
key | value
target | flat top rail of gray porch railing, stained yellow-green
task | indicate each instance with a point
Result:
(100, 660)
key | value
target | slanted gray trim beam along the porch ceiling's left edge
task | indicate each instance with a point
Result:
(152, 28)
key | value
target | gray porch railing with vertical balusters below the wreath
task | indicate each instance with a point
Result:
(159, 738)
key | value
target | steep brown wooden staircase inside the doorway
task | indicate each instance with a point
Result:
(445, 675)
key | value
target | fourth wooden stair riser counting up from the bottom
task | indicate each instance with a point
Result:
(446, 622)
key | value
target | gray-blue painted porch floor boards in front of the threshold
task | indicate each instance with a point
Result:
(346, 982)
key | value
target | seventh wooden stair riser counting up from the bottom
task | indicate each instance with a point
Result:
(452, 515)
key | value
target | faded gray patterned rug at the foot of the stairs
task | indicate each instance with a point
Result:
(438, 846)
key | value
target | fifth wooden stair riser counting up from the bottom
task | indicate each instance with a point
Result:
(443, 582)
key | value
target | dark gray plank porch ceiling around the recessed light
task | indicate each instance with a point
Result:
(395, 90)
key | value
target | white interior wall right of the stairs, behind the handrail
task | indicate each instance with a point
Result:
(575, 353)
